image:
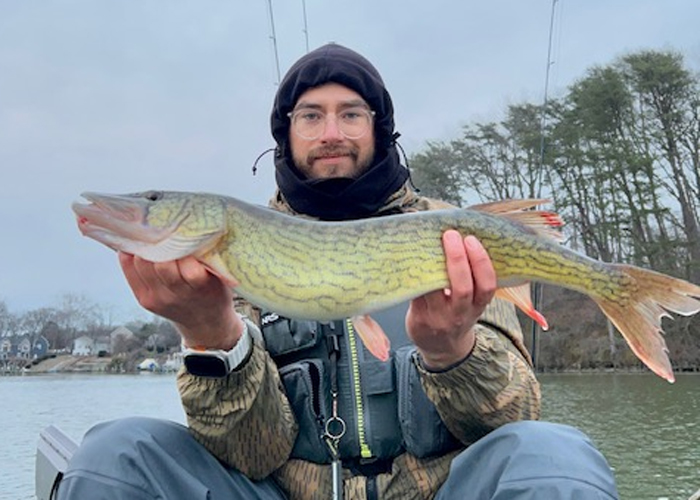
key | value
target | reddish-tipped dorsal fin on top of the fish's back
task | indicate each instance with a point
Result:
(543, 222)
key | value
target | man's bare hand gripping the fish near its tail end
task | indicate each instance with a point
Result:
(441, 323)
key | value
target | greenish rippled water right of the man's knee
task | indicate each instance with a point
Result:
(647, 428)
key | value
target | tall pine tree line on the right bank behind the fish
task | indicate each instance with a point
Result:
(619, 157)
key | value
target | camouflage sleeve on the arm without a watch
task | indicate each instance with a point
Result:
(493, 386)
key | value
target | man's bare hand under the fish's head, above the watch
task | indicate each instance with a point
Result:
(185, 292)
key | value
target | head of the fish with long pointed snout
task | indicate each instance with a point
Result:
(155, 225)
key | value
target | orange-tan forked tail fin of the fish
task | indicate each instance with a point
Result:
(652, 296)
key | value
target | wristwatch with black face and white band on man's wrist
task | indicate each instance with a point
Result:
(217, 363)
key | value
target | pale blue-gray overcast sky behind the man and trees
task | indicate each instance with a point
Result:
(139, 94)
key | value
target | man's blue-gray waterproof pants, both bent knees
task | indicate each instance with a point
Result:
(141, 458)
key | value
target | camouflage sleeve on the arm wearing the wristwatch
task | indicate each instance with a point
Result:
(244, 419)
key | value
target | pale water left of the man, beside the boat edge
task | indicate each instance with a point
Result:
(72, 402)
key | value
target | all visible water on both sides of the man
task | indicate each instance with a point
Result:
(648, 429)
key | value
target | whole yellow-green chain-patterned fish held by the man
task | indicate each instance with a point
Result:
(303, 268)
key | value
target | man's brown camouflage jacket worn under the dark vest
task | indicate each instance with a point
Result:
(247, 422)
